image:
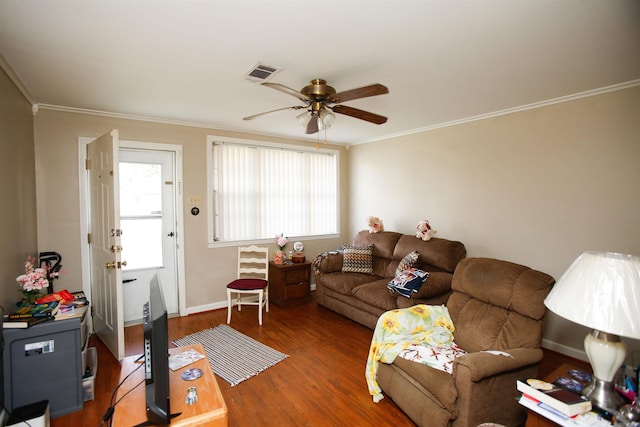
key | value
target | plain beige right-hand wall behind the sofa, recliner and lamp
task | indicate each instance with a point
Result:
(537, 187)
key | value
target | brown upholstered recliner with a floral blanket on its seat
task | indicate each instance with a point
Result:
(495, 305)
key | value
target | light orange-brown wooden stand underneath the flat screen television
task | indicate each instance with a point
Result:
(209, 410)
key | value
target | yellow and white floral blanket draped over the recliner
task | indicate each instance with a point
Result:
(425, 326)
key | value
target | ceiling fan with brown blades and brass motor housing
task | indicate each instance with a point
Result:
(318, 98)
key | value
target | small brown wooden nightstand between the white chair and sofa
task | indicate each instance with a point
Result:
(289, 283)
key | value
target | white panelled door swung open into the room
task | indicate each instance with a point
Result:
(104, 228)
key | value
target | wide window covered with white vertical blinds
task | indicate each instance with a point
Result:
(258, 190)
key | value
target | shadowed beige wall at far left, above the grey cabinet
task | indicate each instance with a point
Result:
(18, 189)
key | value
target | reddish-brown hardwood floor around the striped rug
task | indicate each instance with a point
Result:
(321, 383)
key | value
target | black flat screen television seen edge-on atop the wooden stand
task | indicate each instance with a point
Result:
(156, 356)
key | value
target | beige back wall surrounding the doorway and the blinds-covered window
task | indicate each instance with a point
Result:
(207, 271)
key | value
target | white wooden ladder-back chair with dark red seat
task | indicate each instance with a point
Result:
(253, 276)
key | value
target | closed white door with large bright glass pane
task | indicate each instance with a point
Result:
(147, 220)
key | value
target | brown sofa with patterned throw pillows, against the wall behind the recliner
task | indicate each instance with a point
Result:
(364, 297)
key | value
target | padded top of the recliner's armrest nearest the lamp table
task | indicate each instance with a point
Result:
(483, 364)
